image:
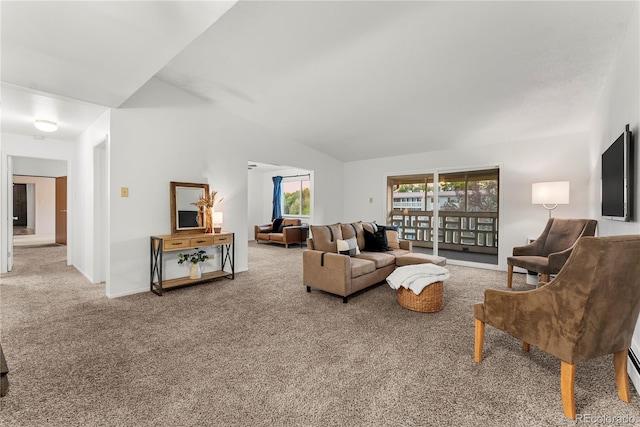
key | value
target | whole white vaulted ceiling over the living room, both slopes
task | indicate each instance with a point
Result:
(352, 79)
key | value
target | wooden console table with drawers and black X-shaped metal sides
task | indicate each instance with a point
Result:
(182, 242)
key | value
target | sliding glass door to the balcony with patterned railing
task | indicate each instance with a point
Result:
(461, 210)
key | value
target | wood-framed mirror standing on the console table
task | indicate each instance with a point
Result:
(186, 217)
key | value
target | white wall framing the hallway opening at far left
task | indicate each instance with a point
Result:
(27, 146)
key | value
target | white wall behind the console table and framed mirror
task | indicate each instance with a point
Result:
(162, 134)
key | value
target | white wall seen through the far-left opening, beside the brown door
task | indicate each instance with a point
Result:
(45, 202)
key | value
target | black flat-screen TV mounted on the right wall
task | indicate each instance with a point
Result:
(618, 176)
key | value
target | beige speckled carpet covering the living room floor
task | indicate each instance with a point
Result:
(261, 351)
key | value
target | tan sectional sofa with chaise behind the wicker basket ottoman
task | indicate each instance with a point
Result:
(340, 274)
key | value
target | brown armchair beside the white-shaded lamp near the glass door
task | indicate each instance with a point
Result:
(548, 253)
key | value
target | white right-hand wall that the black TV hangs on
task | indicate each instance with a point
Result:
(619, 105)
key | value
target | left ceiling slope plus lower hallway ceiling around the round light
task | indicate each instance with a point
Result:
(68, 61)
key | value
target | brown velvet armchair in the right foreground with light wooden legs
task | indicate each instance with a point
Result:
(589, 310)
